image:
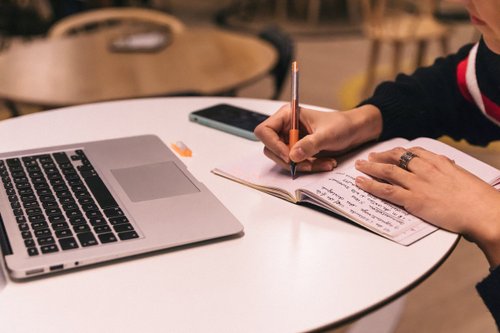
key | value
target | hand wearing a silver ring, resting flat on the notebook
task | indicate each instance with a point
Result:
(437, 190)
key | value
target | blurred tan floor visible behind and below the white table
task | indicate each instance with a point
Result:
(331, 76)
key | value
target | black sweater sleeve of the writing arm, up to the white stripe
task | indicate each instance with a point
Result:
(429, 103)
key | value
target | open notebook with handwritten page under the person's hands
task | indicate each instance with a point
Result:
(337, 192)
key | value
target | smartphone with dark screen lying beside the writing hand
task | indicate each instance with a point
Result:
(229, 118)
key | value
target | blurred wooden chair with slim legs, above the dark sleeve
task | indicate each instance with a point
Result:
(400, 22)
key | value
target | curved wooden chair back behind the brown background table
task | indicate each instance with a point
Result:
(96, 20)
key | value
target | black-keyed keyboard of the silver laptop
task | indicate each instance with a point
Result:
(60, 203)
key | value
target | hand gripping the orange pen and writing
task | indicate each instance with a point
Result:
(323, 133)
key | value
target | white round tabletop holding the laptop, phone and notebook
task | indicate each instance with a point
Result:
(295, 269)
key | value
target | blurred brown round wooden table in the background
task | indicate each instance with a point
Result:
(82, 69)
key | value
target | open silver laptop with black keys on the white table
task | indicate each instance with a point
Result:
(74, 205)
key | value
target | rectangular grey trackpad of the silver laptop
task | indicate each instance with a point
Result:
(153, 181)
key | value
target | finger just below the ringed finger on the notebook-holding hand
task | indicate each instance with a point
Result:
(387, 172)
